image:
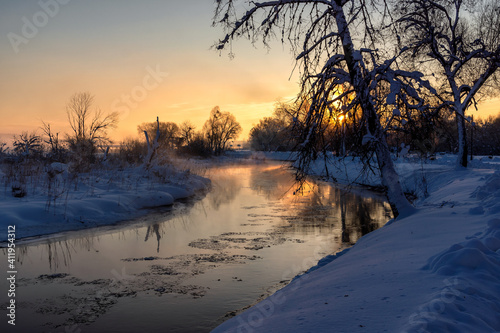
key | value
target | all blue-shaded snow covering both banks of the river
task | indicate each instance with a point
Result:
(437, 270)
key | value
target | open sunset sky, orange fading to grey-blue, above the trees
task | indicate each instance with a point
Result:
(142, 59)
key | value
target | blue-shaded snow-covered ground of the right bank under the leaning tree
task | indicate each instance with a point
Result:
(437, 270)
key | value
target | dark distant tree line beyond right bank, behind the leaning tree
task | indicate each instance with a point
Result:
(423, 136)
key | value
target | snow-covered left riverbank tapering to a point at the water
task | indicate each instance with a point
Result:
(55, 200)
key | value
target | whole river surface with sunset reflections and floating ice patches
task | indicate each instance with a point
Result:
(184, 269)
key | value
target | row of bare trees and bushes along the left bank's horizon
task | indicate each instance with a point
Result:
(88, 138)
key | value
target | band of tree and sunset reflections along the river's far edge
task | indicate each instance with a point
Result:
(316, 208)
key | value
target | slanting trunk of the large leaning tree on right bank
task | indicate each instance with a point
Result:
(390, 178)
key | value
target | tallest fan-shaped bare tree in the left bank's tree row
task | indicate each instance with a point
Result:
(89, 126)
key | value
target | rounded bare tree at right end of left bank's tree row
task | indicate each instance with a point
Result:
(219, 129)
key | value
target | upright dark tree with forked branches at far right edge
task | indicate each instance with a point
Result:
(458, 43)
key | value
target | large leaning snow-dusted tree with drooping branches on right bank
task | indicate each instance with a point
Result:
(340, 52)
